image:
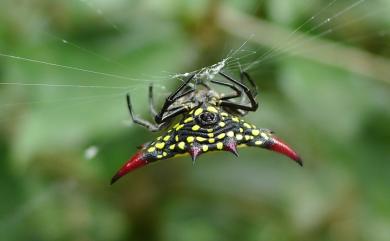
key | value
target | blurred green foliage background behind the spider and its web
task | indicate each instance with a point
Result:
(336, 119)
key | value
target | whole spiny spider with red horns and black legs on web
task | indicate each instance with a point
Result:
(210, 121)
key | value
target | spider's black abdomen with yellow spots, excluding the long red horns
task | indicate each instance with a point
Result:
(203, 129)
